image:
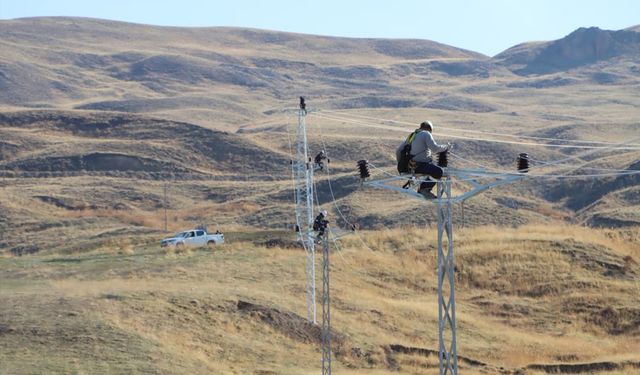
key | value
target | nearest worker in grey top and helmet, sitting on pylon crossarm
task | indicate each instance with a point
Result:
(414, 155)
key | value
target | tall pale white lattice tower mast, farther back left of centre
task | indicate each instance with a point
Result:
(303, 173)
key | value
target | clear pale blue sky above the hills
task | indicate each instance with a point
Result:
(485, 26)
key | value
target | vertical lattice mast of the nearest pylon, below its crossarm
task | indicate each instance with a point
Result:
(446, 283)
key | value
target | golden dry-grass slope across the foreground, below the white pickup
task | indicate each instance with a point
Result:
(529, 300)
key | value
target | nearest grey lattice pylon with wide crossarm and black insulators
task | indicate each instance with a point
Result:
(448, 352)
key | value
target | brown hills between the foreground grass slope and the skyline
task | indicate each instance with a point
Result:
(98, 117)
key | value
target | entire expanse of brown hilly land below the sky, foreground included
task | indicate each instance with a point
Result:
(113, 134)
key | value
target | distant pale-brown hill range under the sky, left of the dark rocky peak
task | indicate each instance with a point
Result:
(100, 64)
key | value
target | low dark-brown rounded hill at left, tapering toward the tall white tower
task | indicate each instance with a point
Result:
(106, 141)
